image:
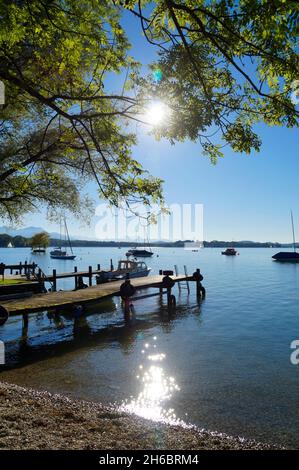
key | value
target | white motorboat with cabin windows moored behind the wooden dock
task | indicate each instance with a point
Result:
(130, 267)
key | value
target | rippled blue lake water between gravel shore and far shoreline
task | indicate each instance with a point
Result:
(223, 364)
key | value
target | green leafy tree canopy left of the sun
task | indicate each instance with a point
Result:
(59, 127)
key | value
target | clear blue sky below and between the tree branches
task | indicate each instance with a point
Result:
(244, 197)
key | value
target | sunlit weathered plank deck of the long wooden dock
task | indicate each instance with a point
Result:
(58, 299)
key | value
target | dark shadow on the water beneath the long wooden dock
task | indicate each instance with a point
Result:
(55, 333)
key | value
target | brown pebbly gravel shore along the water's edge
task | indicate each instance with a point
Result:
(32, 419)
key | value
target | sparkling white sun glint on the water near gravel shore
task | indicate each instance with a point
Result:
(156, 389)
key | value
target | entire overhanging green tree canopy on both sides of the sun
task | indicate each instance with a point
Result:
(223, 66)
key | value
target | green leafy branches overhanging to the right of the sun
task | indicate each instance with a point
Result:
(225, 66)
